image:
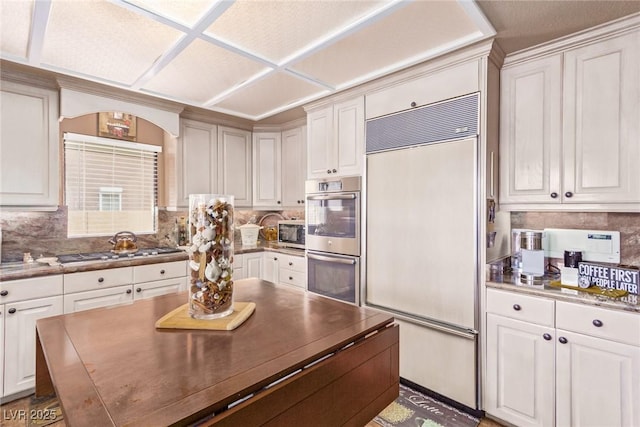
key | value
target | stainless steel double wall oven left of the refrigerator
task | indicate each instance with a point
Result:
(333, 237)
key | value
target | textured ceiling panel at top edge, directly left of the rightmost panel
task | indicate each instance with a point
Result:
(276, 30)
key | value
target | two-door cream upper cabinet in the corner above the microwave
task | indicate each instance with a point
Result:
(279, 160)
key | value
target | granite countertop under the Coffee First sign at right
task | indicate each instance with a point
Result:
(510, 281)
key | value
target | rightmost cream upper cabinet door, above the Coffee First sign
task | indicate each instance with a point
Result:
(602, 122)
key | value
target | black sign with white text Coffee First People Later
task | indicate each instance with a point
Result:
(621, 278)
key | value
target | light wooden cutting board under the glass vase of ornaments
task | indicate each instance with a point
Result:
(180, 319)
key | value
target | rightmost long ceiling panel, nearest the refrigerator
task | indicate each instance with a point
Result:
(396, 41)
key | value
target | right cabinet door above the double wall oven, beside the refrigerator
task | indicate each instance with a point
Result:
(348, 122)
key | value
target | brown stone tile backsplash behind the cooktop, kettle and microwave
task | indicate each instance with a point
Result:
(45, 233)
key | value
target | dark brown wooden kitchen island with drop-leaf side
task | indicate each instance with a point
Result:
(299, 359)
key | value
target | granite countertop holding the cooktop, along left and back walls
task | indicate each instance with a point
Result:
(19, 270)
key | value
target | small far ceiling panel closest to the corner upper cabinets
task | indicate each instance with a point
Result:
(272, 94)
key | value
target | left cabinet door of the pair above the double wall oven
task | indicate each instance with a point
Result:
(320, 145)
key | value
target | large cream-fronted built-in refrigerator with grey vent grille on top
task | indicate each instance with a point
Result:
(421, 244)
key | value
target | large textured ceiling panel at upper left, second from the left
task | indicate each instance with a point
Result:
(103, 40)
